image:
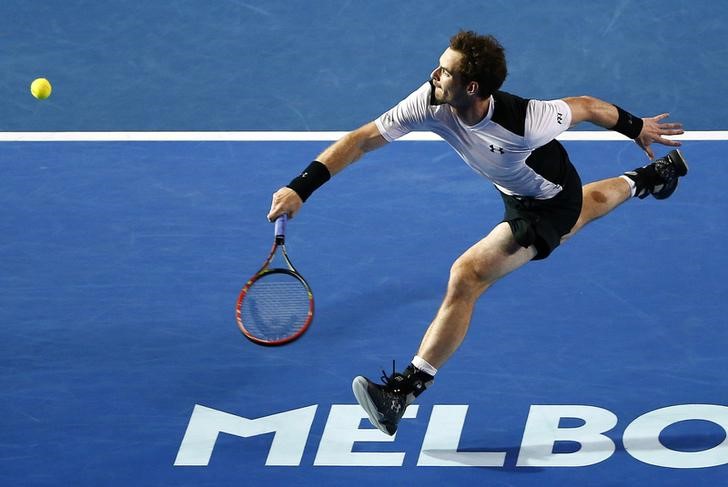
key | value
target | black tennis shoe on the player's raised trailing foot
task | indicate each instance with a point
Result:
(659, 178)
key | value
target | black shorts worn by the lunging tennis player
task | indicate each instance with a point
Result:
(543, 222)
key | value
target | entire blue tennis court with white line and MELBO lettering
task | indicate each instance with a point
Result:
(124, 245)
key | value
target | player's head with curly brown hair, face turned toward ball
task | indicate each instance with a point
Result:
(474, 64)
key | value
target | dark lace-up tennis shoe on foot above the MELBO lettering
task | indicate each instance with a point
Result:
(385, 404)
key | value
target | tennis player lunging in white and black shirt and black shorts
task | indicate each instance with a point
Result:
(511, 142)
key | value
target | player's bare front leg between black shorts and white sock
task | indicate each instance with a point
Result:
(472, 273)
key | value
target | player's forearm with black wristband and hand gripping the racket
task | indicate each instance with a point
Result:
(333, 159)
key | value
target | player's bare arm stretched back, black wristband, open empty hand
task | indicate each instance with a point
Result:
(644, 131)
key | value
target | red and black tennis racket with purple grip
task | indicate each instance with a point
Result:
(276, 305)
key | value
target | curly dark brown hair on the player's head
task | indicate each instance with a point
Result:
(484, 60)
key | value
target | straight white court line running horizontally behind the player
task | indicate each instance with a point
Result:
(253, 136)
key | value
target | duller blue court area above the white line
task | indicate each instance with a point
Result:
(332, 65)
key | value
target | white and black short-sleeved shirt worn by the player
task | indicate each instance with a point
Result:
(513, 146)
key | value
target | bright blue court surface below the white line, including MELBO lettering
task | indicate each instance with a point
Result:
(121, 263)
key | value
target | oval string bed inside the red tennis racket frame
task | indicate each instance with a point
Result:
(276, 306)
